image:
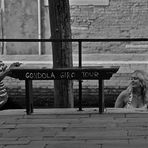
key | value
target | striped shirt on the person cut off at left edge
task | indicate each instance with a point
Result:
(3, 91)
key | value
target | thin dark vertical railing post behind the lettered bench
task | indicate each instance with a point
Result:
(80, 81)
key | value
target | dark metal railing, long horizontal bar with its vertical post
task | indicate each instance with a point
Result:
(79, 41)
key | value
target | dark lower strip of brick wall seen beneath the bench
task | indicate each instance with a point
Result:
(43, 96)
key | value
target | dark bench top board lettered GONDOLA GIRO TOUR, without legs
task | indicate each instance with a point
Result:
(64, 73)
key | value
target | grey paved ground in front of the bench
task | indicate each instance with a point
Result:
(64, 128)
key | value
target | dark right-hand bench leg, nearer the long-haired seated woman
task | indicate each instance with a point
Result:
(101, 96)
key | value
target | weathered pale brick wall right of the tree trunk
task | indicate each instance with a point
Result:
(119, 19)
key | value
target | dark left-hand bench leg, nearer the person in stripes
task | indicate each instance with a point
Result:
(29, 97)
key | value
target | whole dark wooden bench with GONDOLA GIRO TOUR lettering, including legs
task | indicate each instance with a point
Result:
(29, 74)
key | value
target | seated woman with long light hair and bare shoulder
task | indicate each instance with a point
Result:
(136, 94)
